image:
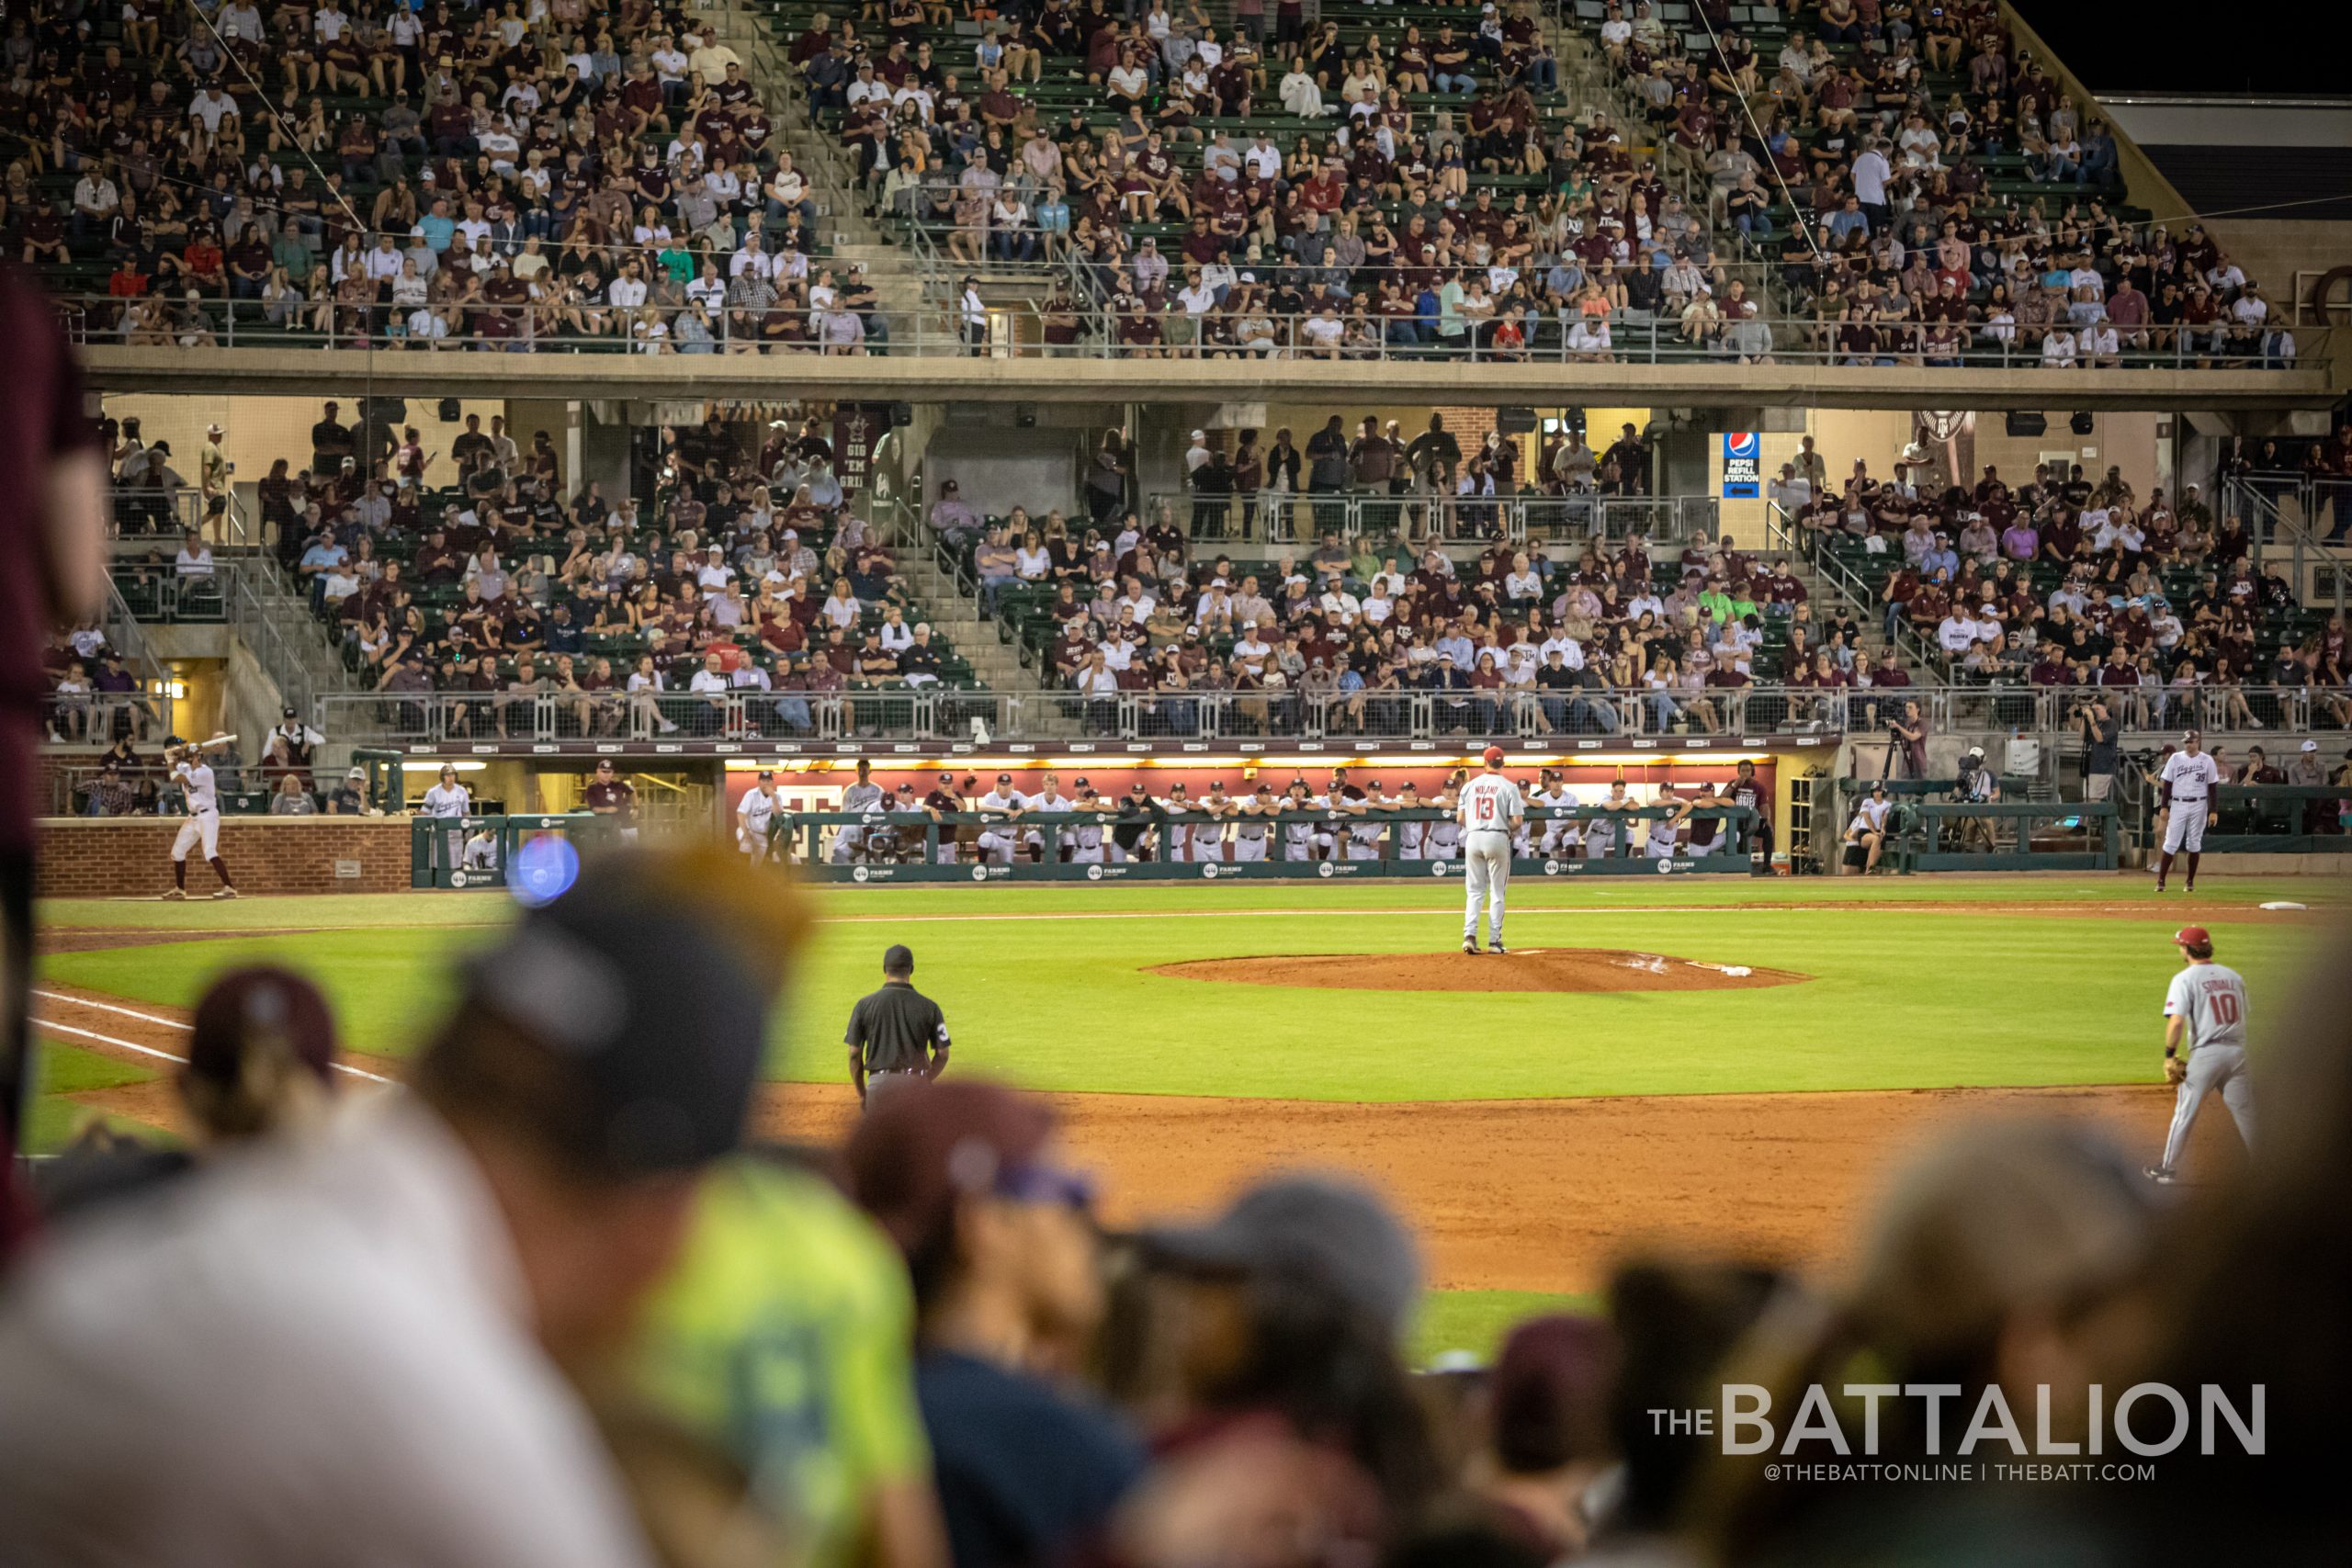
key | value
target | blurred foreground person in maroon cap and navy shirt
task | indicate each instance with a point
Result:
(1008, 1292)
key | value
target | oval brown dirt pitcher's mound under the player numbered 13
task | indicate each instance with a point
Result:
(1537, 970)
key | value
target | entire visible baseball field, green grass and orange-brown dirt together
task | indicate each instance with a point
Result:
(1711, 1000)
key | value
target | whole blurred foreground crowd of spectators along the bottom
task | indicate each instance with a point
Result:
(544, 1306)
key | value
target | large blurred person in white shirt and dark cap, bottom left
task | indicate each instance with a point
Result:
(352, 1346)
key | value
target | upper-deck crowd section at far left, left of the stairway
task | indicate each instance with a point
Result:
(561, 175)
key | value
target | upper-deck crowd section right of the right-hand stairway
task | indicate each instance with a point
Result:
(1930, 192)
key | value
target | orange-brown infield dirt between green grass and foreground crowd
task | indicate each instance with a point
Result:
(1525, 1195)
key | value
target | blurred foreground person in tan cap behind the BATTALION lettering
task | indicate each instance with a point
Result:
(2014, 1259)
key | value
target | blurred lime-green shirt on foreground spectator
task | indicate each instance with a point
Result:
(787, 1341)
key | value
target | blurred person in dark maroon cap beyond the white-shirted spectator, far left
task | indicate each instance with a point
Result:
(260, 1064)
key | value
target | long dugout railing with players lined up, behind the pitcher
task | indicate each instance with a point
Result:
(1140, 845)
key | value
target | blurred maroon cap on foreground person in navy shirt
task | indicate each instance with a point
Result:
(930, 1144)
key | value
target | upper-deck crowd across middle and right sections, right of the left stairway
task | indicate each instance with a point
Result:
(1890, 189)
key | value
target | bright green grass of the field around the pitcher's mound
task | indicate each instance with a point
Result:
(1045, 989)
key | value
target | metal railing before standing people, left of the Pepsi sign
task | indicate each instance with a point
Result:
(1281, 518)
